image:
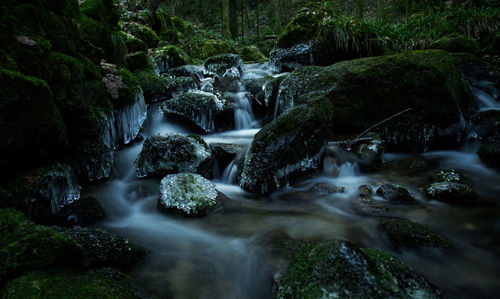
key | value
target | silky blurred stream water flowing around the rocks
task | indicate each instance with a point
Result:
(231, 254)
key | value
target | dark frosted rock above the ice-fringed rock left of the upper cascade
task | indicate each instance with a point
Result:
(158, 88)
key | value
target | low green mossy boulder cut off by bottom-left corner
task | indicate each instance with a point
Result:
(104, 283)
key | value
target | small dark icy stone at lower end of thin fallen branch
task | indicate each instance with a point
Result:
(370, 154)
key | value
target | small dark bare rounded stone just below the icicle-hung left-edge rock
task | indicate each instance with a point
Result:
(82, 212)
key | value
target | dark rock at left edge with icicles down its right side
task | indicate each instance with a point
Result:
(43, 192)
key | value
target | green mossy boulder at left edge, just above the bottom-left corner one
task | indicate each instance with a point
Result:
(26, 246)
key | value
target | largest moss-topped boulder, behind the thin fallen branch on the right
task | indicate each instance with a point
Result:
(366, 91)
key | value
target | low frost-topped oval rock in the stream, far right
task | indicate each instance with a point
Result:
(450, 192)
